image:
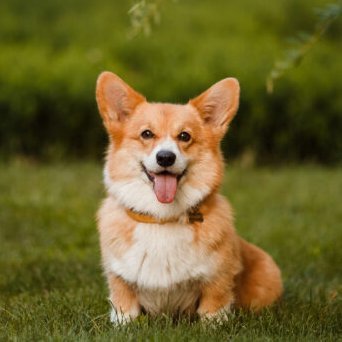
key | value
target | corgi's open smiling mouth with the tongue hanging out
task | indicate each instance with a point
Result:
(164, 184)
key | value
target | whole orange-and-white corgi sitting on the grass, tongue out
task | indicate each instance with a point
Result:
(167, 237)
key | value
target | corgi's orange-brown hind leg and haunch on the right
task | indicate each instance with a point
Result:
(259, 284)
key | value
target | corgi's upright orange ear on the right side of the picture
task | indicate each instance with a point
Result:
(219, 104)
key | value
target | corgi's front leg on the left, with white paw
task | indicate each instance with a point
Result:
(125, 305)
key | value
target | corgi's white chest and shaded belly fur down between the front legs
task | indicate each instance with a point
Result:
(165, 264)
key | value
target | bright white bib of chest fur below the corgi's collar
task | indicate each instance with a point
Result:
(162, 256)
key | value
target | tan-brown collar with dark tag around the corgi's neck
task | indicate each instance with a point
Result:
(193, 215)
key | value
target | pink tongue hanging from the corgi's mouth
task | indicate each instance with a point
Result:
(165, 187)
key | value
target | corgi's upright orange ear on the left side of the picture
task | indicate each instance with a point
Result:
(116, 100)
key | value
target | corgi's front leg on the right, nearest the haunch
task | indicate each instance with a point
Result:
(216, 299)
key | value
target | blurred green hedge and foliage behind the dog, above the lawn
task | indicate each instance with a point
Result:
(51, 53)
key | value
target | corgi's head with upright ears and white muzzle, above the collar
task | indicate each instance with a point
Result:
(163, 158)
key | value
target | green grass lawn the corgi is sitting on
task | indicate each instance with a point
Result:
(52, 288)
